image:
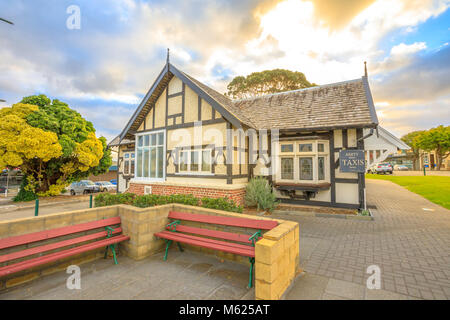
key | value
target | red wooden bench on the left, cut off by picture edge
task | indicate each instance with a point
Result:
(107, 238)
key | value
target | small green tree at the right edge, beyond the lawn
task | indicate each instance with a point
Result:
(438, 140)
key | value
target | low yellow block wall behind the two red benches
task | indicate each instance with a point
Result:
(276, 261)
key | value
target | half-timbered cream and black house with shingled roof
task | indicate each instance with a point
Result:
(185, 137)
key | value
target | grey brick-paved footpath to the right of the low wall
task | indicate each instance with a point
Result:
(409, 240)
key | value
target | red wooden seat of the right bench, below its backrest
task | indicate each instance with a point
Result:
(208, 243)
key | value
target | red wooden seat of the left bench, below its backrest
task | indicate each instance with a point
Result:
(59, 255)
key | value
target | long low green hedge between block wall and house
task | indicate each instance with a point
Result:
(150, 200)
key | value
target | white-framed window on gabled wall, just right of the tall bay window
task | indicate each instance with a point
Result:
(195, 161)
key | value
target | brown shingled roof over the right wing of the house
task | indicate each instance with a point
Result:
(342, 104)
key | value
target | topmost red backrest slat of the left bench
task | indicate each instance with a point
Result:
(54, 233)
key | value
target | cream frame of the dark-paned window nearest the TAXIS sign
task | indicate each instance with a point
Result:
(297, 155)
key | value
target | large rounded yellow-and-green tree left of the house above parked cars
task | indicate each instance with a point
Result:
(51, 143)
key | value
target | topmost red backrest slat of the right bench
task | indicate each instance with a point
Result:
(227, 221)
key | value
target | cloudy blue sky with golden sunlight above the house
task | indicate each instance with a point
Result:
(104, 68)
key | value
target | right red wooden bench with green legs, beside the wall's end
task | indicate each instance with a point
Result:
(240, 244)
